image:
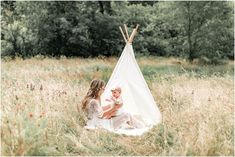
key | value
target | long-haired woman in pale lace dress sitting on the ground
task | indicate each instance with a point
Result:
(95, 113)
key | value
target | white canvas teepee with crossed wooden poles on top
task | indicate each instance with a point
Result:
(137, 98)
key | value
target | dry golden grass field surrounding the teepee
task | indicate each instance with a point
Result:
(39, 115)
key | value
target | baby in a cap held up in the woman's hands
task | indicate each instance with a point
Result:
(114, 100)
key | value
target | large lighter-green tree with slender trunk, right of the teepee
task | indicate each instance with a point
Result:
(192, 29)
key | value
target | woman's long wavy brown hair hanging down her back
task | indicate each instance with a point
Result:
(93, 91)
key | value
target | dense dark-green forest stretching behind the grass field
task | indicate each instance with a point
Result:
(188, 29)
